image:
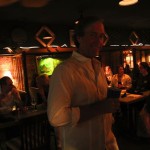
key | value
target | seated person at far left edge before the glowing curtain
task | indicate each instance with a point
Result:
(9, 95)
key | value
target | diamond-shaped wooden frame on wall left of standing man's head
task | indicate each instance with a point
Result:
(45, 36)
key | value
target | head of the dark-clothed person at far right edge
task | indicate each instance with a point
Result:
(144, 68)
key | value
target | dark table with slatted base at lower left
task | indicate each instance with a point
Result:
(32, 128)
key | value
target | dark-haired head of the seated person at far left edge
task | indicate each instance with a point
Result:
(6, 84)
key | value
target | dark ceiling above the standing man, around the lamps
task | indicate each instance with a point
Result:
(67, 11)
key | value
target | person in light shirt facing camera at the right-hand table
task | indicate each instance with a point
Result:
(121, 80)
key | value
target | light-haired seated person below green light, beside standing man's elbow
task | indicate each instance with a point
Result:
(42, 82)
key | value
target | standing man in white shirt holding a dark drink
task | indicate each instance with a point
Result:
(77, 104)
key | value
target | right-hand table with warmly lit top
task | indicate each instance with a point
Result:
(130, 107)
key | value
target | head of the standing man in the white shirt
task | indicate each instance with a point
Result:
(89, 36)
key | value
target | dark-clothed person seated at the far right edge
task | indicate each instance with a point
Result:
(143, 82)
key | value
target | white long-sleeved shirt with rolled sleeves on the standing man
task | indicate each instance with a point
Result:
(75, 83)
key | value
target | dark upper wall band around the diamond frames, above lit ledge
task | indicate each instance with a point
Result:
(8, 34)
